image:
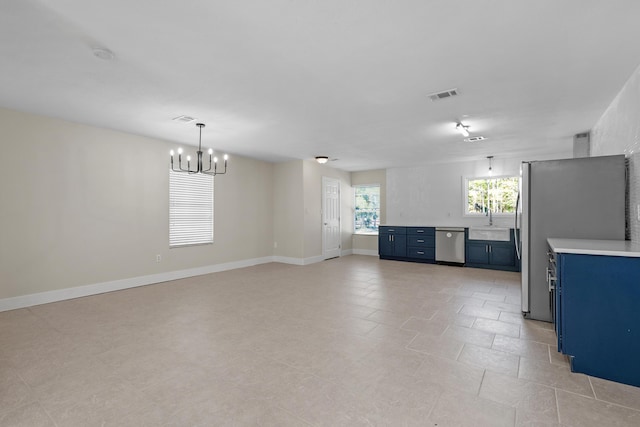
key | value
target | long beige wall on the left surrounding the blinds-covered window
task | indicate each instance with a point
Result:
(83, 205)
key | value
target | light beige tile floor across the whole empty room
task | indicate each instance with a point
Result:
(346, 342)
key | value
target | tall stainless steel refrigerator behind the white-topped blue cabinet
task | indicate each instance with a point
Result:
(580, 198)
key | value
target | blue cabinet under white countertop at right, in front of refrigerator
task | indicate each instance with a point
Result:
(598, 315)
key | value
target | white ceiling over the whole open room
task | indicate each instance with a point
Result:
(291, 79)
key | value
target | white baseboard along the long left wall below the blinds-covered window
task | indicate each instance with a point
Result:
(117, 285)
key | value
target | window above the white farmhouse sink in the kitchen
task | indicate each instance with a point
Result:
(497, 194)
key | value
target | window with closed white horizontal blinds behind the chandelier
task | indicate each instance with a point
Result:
(190, 209)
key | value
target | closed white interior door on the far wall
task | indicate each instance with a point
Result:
(330, 217)
